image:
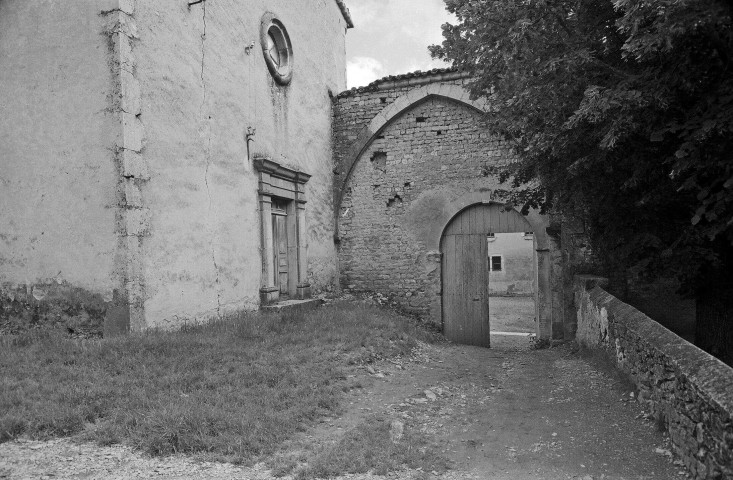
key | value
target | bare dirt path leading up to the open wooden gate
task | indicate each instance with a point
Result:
(511, 412)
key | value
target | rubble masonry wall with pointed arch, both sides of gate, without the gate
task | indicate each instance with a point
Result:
(396, 251)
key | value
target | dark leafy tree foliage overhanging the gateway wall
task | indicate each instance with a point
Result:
(621, 113)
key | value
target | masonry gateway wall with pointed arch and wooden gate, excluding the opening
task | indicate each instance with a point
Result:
(416, 197)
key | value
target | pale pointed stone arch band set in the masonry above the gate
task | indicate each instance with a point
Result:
(380, 121)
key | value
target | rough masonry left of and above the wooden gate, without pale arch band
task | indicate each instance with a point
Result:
(428, 156)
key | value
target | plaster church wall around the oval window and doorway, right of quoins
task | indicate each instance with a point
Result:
(202, 87)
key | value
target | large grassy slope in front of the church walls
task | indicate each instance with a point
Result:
(232, 390)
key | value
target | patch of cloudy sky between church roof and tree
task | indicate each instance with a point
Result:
(391, 37)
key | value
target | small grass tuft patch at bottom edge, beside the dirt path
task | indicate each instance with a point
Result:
(370, 447)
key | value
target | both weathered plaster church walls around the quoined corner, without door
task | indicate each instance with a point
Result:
(127, 195)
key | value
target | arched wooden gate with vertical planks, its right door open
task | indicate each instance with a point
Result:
(466, 270)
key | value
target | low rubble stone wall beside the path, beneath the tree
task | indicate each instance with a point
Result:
(688, 390)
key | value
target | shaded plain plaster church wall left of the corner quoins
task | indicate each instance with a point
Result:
(58, 173)
